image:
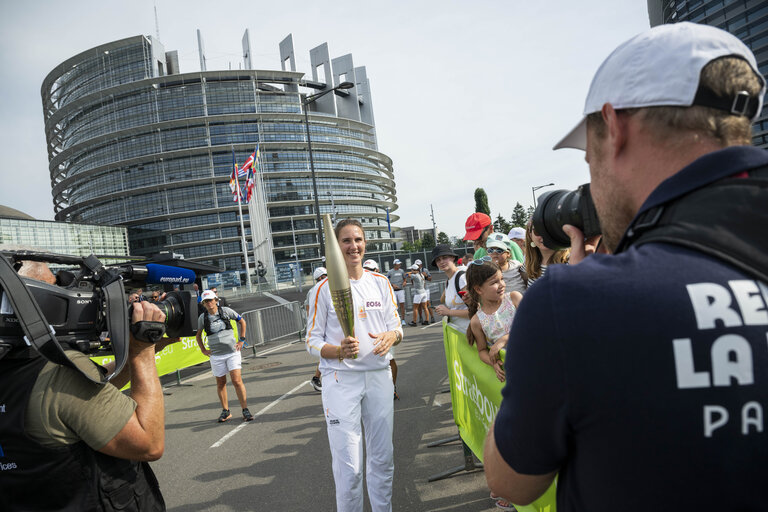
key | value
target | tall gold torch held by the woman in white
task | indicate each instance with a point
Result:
(338, 280)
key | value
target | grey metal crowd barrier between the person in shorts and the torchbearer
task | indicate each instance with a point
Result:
(274, 323)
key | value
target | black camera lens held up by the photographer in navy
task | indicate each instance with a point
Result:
(560, 207)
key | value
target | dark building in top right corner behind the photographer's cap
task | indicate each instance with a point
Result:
(746, 19)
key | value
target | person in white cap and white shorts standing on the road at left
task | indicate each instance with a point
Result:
(224, 351)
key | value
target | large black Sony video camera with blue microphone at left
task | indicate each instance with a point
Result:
(85, 307)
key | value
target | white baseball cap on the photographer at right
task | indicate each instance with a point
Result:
(661, 67)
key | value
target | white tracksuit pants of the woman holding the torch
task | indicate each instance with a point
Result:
(349, 398)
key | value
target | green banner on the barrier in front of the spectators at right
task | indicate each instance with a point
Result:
(476, 397)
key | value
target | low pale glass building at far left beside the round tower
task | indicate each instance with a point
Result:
(18, 228)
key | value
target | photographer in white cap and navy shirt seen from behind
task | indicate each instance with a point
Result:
(640, 377)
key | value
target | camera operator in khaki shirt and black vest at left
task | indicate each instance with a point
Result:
(67, 443)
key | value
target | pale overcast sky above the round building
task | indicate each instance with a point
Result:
(465, 94)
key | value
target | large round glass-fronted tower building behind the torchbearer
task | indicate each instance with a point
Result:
(133, 141)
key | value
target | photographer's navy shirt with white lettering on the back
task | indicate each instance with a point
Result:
(642, 377)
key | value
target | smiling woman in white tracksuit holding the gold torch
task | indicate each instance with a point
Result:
(357, 380)
